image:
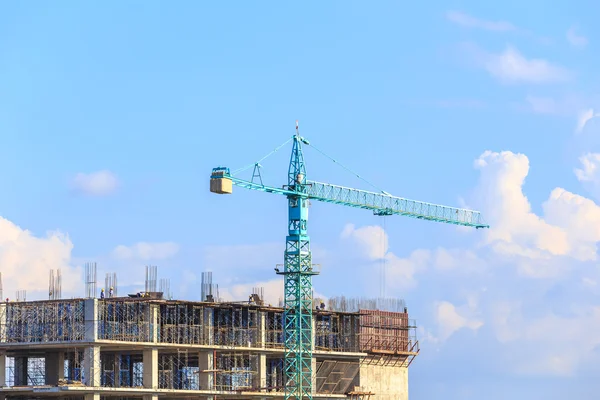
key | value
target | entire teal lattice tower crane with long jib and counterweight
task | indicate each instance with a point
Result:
(298, 268)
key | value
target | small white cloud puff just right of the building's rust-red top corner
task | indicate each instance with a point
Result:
(450, 319)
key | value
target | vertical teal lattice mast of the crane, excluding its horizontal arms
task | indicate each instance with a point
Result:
(298, 272)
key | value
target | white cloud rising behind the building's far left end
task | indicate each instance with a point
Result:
(26, 260)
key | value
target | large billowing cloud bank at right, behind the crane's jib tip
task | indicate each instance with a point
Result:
(530, 275)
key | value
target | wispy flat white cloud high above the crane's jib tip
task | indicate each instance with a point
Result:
(510, 66)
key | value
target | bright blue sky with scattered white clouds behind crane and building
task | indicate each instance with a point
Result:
(112, 117)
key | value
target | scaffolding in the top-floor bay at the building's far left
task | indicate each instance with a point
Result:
(49, 321)
